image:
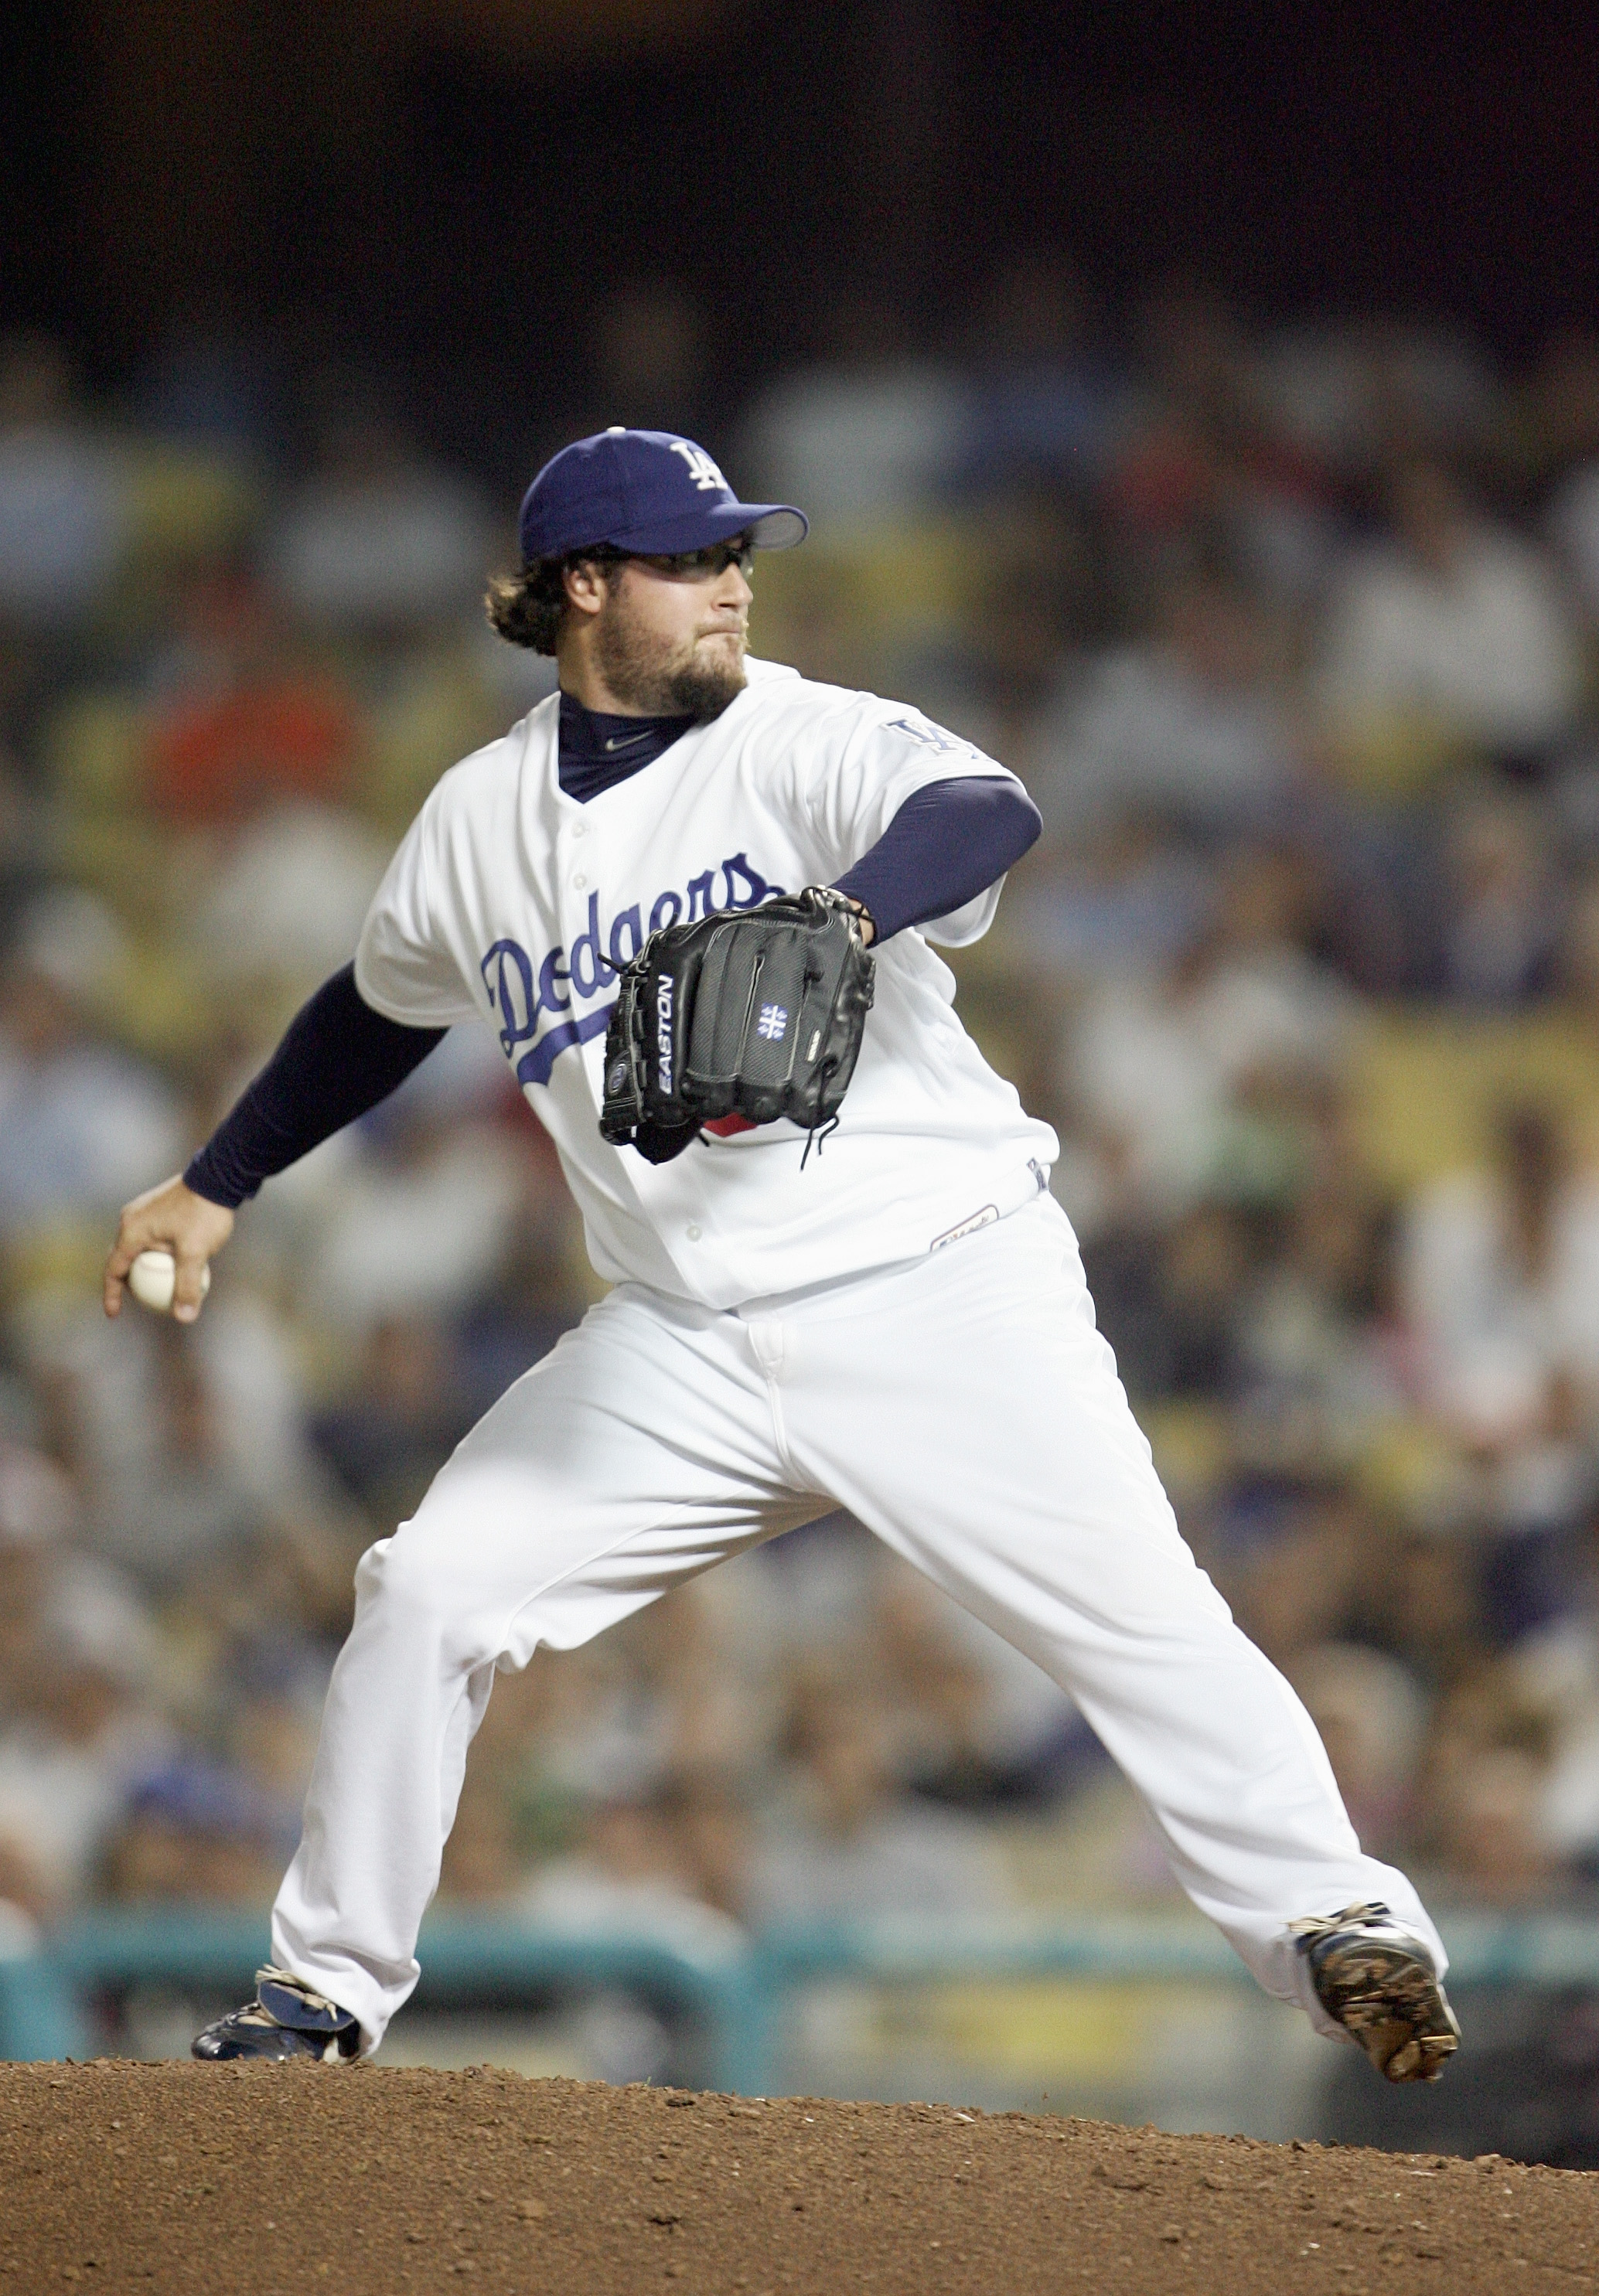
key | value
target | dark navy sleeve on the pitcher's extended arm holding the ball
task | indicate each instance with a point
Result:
(337, 1062)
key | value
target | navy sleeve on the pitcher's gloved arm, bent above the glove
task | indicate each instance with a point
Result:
(941, 851)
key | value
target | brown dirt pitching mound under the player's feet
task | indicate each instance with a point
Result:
(300, 2178)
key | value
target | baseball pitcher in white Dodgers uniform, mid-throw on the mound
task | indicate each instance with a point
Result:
(700, 901)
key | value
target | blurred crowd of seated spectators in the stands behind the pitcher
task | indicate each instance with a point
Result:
(1292, 635)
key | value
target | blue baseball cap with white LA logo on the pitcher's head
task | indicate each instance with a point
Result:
(644, 492)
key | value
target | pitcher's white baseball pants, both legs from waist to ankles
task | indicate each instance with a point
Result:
(968, 1413)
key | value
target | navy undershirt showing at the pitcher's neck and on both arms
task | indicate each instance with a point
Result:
(339, 1057)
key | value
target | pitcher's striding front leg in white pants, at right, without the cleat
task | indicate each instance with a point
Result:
(971, 1415)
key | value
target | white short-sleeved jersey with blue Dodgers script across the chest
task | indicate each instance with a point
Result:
(516, 903)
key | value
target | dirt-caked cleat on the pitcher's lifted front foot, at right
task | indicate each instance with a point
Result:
(1377, 1980)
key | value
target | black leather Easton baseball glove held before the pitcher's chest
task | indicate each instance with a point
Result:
(752, 1014)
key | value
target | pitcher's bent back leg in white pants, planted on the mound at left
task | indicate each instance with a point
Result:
(638, 1455)
